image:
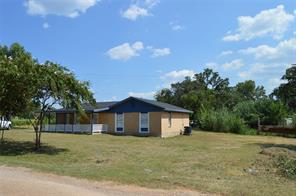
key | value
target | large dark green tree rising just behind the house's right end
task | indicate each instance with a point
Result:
(205, 90)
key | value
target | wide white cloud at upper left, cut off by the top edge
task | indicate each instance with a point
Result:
(68, 8)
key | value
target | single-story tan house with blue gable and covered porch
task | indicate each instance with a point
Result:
(131, 116)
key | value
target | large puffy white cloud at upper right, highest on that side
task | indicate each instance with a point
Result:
(274, 22)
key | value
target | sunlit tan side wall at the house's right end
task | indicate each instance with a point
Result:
(179, 120)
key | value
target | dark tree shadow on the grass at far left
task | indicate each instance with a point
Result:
(14, 148)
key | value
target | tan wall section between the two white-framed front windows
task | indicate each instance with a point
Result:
(131, 123)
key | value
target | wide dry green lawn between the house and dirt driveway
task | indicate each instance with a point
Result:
(205, 161)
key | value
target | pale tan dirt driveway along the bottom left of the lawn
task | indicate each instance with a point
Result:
(22, 181)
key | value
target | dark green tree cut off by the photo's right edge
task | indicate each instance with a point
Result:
(286, 92)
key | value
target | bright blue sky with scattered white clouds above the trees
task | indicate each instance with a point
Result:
(136, 47)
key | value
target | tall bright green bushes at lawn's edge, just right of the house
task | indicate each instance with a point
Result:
(222, 121)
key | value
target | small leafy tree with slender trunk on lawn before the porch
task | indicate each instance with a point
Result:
(56, 85)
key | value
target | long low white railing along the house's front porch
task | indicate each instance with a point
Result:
(75, 128)
